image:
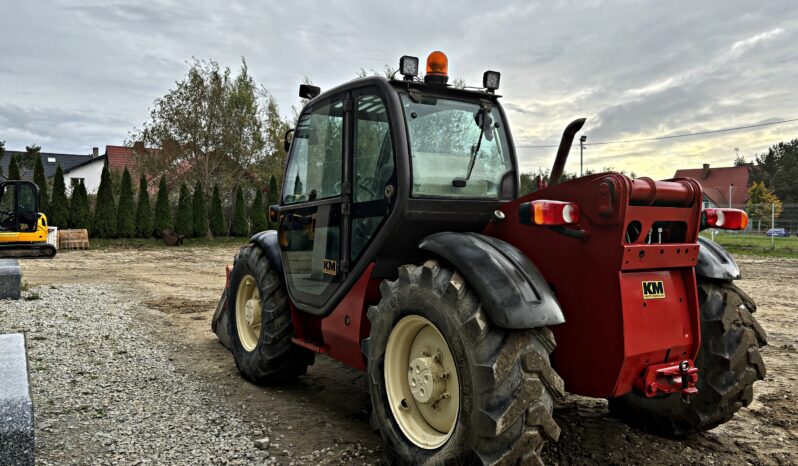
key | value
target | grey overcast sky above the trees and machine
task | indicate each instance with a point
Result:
(77, 74)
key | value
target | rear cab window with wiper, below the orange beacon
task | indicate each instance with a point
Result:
(444, 138)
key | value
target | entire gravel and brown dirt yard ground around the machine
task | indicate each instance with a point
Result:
(126, 371)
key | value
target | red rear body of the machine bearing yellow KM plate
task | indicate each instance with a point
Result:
(611, 334)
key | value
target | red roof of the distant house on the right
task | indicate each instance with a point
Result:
(715, 183)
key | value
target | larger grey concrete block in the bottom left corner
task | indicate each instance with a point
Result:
(16, 405)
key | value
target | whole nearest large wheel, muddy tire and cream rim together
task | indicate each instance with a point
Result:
(448, 387)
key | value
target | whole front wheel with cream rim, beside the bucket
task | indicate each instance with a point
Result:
(259, 322)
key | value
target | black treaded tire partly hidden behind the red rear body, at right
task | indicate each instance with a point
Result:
(728, 365)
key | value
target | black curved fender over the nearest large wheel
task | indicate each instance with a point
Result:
(513, 291)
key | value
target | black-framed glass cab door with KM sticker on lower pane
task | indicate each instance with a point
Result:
(312, 229)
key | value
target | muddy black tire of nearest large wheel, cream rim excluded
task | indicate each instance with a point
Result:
(507, 384)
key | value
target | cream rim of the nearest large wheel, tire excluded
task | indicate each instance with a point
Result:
(421, 382)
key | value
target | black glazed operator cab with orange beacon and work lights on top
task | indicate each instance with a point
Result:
(375, 165)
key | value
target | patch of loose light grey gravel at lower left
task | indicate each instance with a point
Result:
(107, 392)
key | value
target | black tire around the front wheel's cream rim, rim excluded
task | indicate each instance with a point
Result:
(275, 359)
